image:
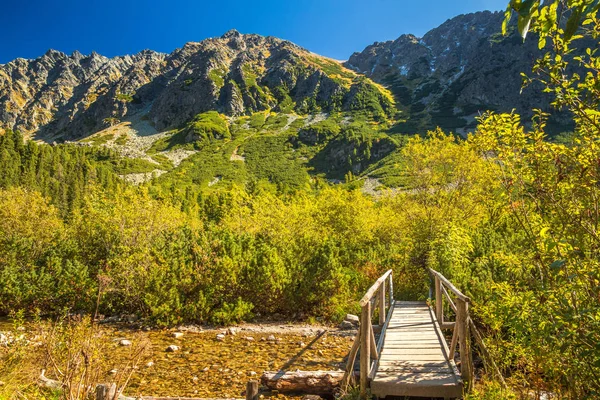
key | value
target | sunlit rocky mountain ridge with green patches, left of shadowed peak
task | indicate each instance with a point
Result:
(60, 97)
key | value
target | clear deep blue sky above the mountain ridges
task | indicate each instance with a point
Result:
(334, 28)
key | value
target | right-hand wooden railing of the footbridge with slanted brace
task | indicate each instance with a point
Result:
(462, 329)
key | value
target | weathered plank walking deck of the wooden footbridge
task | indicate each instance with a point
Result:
(413, 360)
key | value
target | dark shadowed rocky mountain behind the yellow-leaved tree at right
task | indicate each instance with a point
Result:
(454, 72)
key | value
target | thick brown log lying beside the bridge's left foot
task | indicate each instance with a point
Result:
(311, 382)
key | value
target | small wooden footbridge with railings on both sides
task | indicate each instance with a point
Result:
(411, 356)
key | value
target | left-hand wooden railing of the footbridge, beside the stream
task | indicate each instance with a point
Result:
(374, 299)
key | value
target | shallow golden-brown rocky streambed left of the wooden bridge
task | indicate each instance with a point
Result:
(217, 363)
